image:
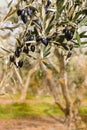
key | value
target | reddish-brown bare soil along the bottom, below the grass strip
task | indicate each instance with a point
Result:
(34, 123)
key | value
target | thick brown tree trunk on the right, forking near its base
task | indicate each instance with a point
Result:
(70, 109)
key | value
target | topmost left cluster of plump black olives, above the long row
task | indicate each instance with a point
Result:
(24, 13)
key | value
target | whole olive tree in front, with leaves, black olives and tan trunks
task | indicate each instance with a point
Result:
(49, 31)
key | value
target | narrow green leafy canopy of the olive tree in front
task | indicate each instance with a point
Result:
(56, 23)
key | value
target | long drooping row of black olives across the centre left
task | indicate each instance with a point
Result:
(28, 46)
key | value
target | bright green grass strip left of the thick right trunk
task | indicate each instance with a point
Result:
(17, 110)
